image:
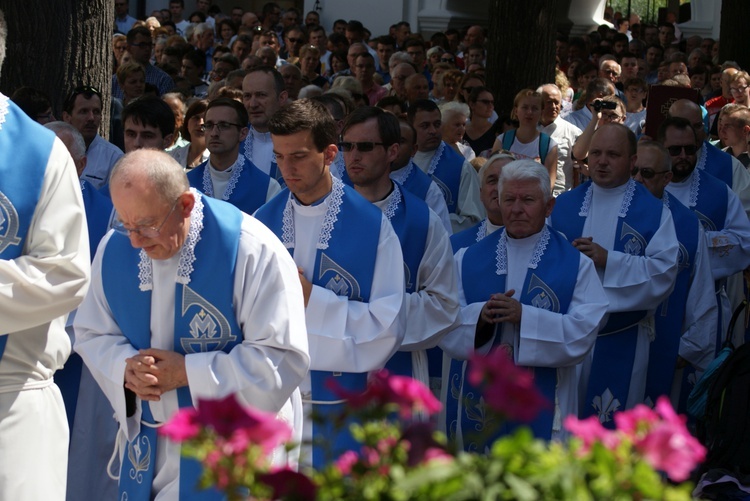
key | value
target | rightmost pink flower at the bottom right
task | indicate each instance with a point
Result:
(668, 446)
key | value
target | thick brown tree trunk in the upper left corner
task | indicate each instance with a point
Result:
(56, 45)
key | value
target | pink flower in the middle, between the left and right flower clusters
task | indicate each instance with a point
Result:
(384, 388)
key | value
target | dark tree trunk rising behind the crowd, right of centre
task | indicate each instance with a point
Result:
(521, 48)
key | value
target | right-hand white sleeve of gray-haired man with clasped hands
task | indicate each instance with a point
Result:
(549, 339)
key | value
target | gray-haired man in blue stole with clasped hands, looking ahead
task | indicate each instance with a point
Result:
(525, 289)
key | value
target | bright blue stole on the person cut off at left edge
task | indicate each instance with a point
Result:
(21, 177)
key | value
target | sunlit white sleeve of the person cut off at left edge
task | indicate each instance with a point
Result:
(51, 276)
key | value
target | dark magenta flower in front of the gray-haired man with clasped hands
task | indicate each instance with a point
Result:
(507, 389)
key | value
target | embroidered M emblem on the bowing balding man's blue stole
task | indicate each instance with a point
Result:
(209, 329)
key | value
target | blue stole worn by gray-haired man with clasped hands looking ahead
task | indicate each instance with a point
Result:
(549, 284)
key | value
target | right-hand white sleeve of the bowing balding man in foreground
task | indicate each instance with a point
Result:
(273, 358)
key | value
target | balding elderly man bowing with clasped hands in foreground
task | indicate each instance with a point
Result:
(191, 299)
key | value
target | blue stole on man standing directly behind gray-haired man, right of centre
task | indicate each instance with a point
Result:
(614, 353)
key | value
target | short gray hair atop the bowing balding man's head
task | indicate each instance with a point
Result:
(162, 171)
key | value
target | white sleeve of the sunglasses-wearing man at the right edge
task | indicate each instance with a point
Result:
(729, 249)
